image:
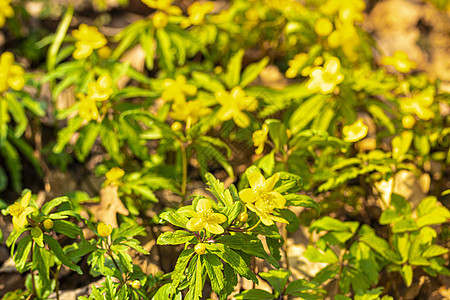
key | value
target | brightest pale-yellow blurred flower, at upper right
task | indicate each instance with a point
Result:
(325, 79)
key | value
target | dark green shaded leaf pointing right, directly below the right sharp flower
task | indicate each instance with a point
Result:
(248, 244)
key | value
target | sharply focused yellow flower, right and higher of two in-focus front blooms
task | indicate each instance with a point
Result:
(261, 198)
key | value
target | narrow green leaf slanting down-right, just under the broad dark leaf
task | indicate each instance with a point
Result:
(233, 259)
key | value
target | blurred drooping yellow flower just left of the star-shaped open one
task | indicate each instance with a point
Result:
(189, 112)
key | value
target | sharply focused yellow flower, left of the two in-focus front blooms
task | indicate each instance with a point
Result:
(205, 218)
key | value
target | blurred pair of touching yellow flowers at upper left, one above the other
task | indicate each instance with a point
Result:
(100, 90)
